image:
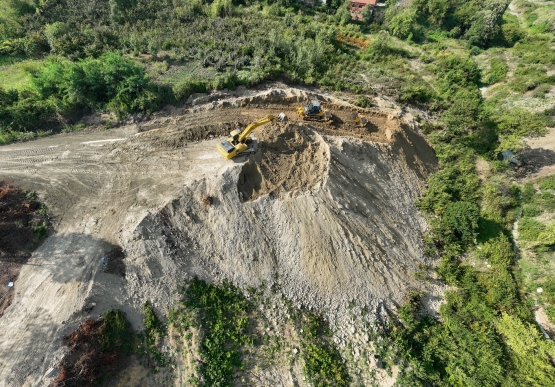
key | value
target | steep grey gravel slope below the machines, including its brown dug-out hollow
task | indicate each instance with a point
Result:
(330, 219)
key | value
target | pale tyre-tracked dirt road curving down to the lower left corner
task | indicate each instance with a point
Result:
(92, 189)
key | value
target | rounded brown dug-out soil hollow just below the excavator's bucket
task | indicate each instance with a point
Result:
(291, 158)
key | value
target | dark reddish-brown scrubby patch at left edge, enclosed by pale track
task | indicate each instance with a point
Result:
(18, 215)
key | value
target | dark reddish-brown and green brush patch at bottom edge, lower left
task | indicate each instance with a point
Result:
(98, 350)
